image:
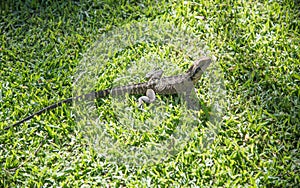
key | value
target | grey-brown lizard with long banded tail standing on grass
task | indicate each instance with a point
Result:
(155, 85)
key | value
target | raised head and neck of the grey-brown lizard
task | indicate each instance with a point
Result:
(197, 69)
